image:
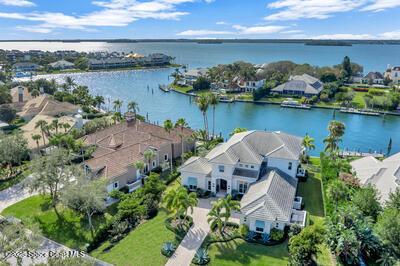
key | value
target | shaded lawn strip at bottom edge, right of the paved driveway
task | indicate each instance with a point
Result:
(239, 252)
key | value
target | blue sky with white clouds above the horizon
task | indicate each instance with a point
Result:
(329, 19)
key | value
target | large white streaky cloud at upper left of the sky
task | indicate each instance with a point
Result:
(113, 13)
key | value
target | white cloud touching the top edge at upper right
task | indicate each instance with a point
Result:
(318, 9)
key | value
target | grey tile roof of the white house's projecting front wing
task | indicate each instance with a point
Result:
(271, 198)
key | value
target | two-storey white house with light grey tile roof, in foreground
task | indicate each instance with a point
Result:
(263, 167)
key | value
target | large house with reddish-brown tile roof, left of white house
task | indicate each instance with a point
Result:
(121, 145)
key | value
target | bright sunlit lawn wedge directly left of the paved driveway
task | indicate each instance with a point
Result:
(141, 247)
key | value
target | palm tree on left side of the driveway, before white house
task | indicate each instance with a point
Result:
(180, 201)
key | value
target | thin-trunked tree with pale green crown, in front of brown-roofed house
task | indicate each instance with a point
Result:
(86, 196)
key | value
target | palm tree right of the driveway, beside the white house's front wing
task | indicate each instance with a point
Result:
(221, 212)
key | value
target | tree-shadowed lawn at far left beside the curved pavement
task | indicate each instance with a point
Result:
(70, 228)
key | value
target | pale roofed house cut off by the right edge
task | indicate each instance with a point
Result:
(384, 175)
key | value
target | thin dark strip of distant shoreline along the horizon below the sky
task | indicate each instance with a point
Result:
(304, 41)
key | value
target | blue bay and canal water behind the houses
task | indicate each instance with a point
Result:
(362, 132)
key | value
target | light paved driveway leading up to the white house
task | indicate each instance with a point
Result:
(194, 238)
